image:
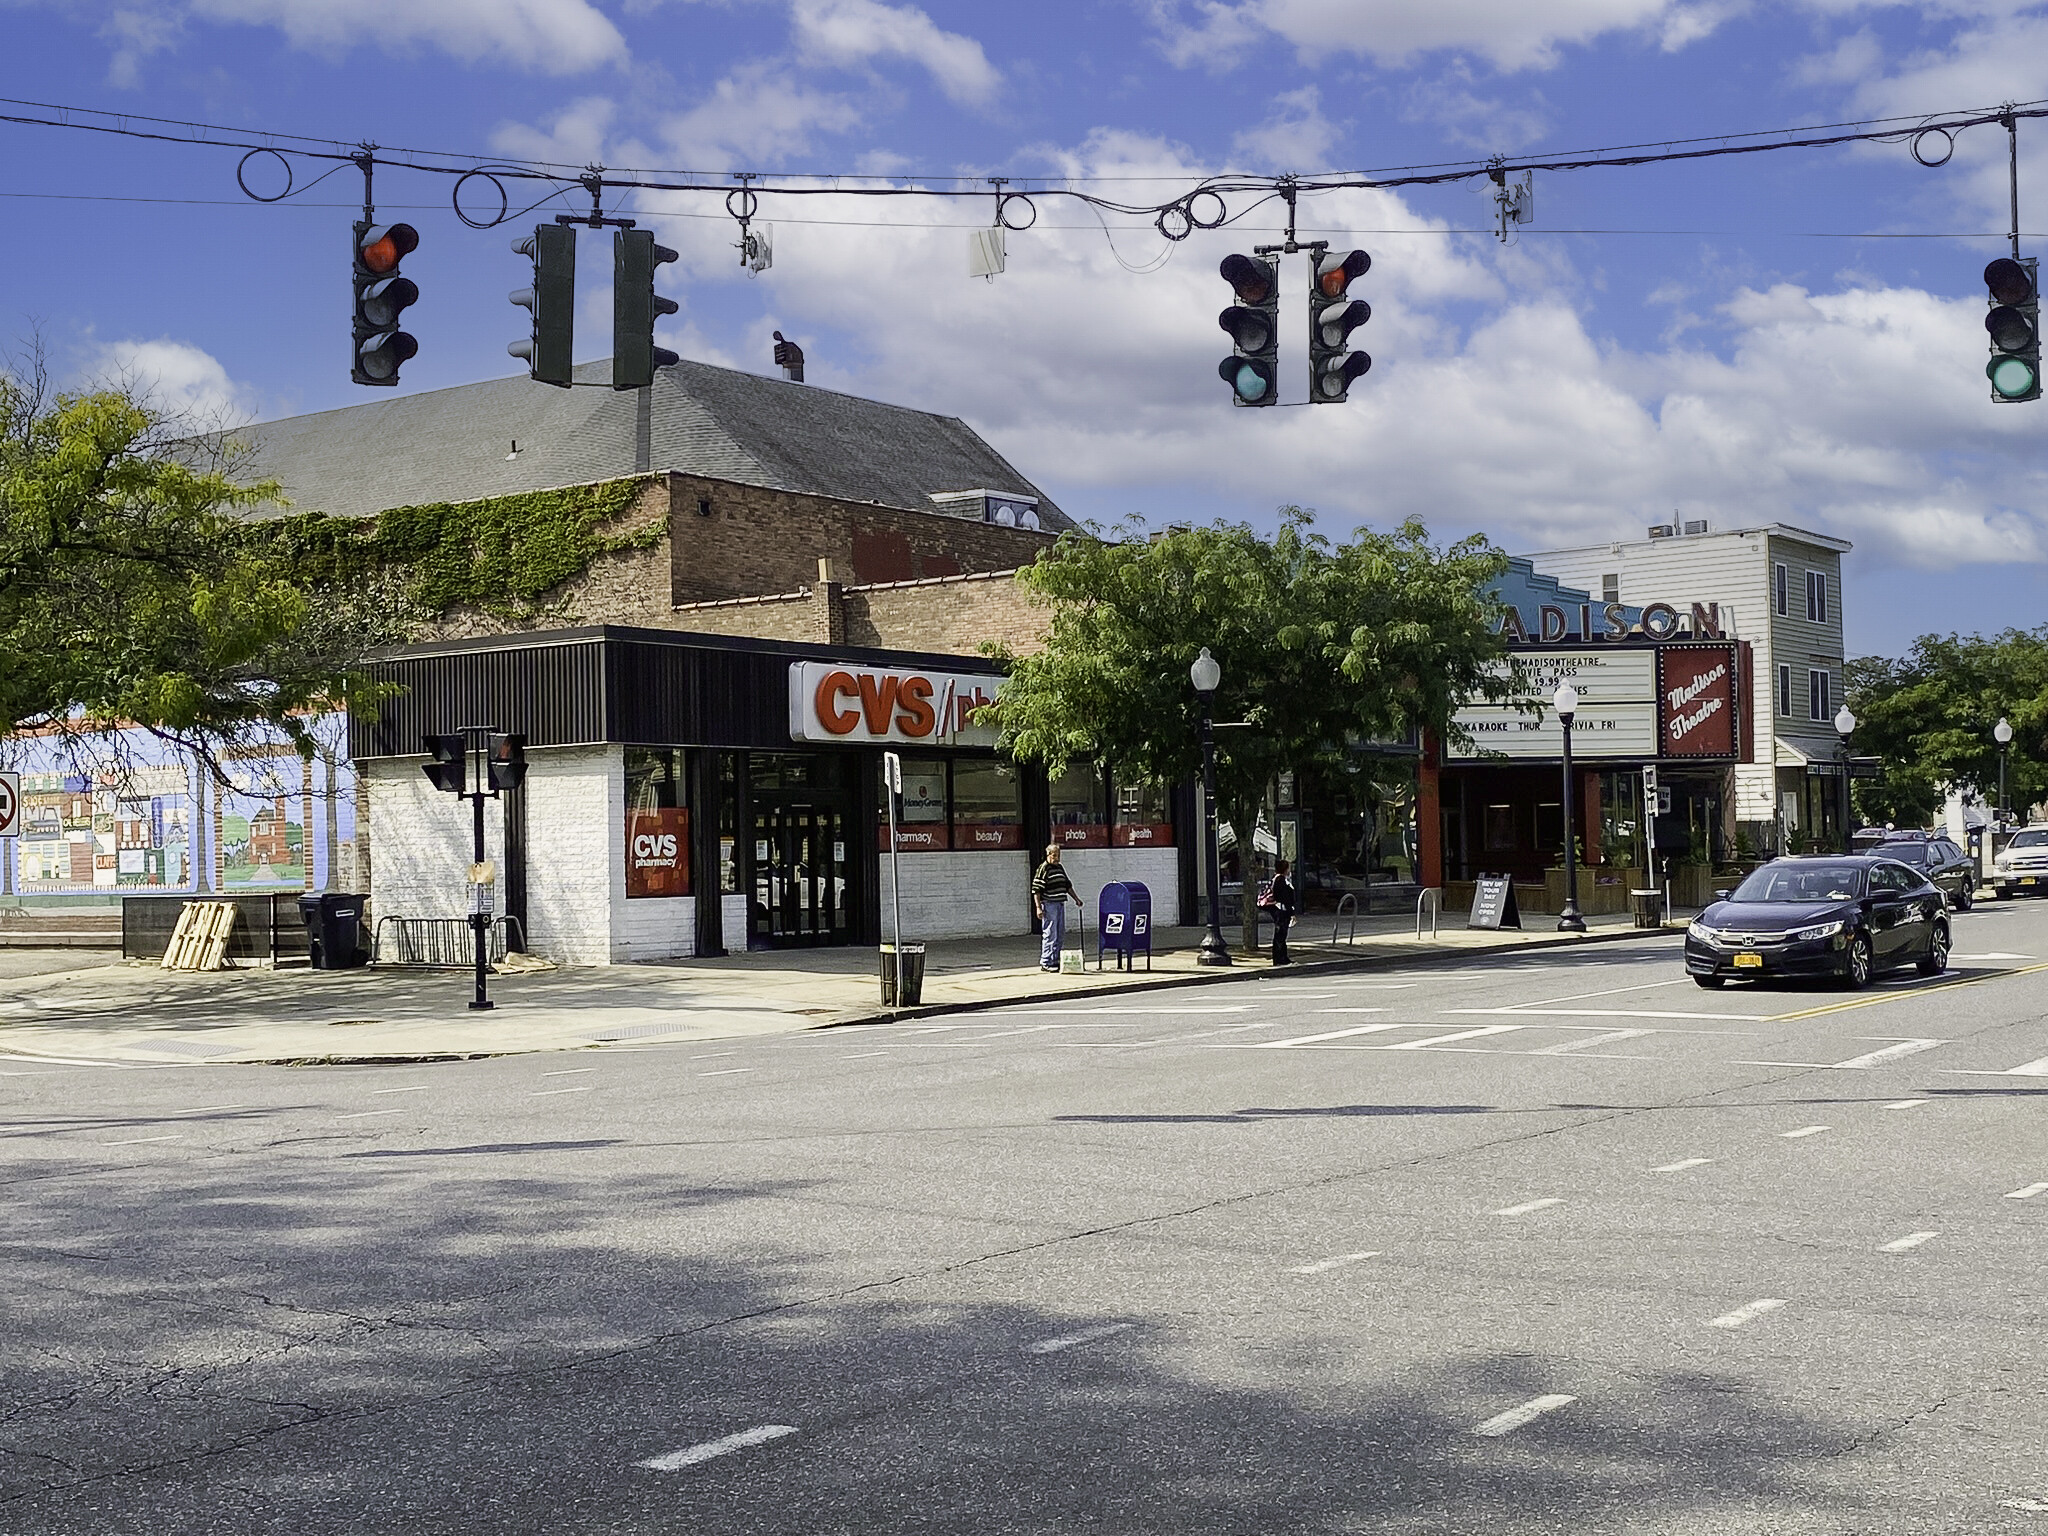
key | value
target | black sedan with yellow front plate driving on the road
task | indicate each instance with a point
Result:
(1822, 916)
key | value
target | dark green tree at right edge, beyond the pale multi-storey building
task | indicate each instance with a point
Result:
(1930, 718)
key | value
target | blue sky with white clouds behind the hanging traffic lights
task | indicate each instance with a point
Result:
(1789, 337)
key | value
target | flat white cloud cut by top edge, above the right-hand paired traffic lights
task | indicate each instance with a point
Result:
(1508, 34)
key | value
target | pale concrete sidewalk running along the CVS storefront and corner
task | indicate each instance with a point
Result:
(138, 1015)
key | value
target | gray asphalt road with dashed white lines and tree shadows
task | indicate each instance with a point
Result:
(1551, 1244)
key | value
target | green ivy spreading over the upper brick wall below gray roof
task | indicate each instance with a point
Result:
(499, 556)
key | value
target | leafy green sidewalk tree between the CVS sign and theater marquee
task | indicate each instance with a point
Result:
(1322, 646)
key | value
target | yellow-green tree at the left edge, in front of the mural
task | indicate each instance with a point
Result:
(136, 591)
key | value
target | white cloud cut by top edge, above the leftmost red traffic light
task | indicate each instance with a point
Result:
(546, 36)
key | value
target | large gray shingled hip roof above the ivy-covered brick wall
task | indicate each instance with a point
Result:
(452, 445)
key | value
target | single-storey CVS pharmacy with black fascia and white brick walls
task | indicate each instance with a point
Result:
(706, 796)
